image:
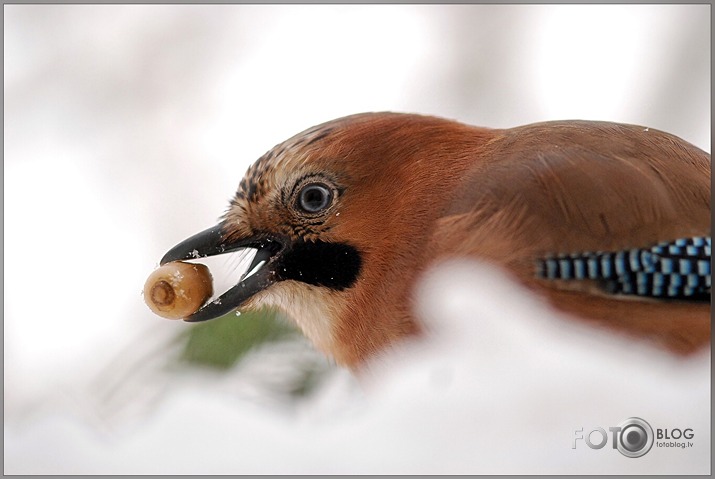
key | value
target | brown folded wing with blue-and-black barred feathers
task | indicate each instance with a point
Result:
(553, 202)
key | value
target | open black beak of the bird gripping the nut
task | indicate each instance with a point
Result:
(260, 274)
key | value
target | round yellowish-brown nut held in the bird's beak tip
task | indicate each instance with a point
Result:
(177, 289)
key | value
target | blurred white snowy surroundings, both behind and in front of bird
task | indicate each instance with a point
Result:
(127, 129)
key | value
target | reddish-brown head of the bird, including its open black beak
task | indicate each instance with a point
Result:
(339, 215)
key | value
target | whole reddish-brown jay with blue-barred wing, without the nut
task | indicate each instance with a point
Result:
(609, 223)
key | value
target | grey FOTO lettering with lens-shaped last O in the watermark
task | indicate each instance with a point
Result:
(632, 438)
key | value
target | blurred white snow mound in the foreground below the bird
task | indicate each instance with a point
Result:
(499, 386)
